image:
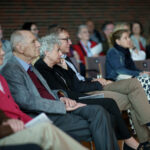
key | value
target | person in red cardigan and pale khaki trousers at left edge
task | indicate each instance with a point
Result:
(12, 123)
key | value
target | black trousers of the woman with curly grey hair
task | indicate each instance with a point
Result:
(110, 105)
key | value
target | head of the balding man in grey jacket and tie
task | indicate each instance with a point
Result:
(25, 45)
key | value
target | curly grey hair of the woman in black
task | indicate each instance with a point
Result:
(48, 42)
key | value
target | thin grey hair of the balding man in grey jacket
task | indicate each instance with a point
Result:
(16, 38)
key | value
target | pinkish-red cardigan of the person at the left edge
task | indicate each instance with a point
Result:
(8, 105)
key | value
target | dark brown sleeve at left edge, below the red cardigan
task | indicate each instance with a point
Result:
(5, 130)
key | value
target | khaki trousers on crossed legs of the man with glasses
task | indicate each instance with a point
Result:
(129, 94)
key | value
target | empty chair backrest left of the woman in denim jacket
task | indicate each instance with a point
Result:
(95, 66)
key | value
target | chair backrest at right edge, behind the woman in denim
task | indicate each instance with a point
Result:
(143, 64)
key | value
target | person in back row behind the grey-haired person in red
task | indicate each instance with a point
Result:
(94, 34)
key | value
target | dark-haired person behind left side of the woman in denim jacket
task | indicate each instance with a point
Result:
(107, 29)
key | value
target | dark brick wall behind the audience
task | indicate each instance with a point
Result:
(71, 13)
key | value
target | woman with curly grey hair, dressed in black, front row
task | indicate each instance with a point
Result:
(52, 55)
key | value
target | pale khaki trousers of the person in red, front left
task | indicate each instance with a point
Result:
(45, 135)
